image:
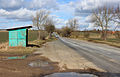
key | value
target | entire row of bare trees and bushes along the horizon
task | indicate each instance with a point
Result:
(101, 17)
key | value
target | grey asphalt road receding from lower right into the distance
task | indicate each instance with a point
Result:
(103, 56)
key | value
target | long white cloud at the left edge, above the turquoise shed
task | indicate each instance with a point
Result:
(22, 14)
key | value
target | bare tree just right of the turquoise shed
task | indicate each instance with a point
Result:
(39, 20)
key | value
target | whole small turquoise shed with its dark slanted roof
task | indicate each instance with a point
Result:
(18, 36)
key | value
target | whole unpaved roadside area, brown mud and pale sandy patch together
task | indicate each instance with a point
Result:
(62, 58)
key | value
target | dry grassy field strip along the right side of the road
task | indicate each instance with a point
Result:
(96, 37)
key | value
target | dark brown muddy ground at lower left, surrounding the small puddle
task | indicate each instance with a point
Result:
(20, 68)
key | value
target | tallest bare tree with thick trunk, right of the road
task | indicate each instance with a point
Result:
(103, 17)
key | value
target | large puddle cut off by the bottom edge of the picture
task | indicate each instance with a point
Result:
(70, 74)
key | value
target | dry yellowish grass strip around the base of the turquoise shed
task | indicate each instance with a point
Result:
(5, 49)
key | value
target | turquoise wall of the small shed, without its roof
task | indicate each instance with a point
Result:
(18, 37)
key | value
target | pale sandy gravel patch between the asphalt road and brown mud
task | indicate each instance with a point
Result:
(67, 58)
